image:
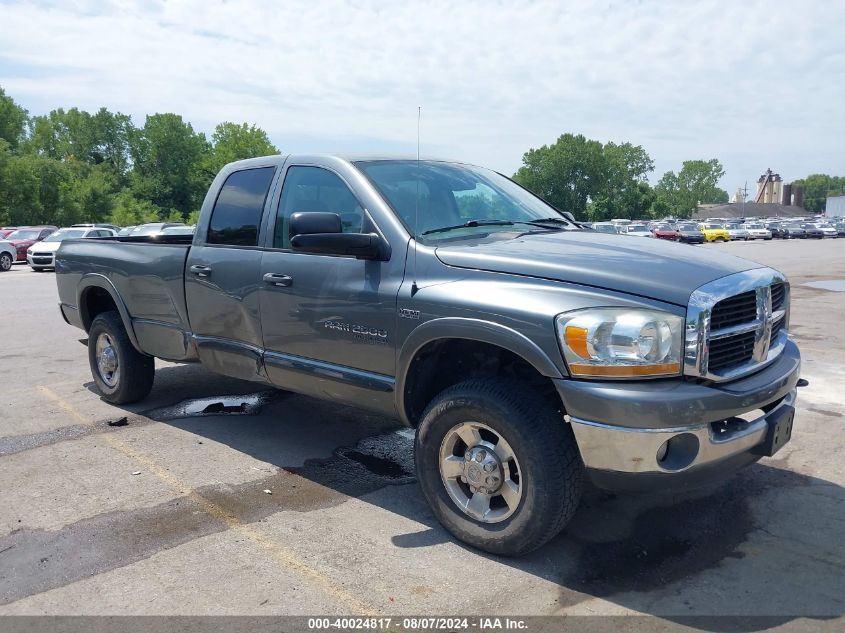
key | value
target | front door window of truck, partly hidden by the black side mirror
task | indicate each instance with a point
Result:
(315, 189)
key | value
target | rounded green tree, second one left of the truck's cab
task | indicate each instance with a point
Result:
(167, 156)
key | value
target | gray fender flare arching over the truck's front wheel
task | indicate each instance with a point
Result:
(474, 330)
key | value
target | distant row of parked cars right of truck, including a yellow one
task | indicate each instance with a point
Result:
(721, 230)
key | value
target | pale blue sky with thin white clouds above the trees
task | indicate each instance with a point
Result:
(757, 84)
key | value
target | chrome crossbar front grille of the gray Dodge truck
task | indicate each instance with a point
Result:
(736, 324)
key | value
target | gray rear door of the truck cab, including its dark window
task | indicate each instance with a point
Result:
(222, 277)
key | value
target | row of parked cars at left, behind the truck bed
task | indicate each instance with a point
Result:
(37, 245)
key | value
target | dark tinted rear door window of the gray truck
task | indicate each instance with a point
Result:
(237, 212)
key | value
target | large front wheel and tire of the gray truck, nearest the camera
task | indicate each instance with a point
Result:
(498, 465)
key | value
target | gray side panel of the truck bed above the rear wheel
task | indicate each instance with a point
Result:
(147, 275)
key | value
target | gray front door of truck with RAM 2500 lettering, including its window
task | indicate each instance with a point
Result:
(328, 322)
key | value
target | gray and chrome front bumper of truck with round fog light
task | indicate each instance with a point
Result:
(620, 427)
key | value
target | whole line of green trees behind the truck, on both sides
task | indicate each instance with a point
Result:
(72, 166)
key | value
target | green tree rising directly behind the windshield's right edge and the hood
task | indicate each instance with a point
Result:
(565, 174)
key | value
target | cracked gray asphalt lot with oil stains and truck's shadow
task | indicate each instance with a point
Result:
(216, 496)
